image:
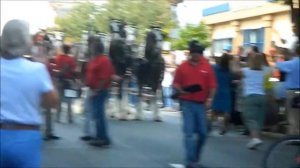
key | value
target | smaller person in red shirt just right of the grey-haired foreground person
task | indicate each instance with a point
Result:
(65, 66)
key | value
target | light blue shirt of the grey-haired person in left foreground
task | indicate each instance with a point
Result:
(22, 84)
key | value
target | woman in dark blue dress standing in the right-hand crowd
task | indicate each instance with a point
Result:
(221, 105)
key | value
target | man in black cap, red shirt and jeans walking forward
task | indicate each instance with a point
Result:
(195, 72)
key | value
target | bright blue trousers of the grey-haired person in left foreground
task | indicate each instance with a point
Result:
(20, 149)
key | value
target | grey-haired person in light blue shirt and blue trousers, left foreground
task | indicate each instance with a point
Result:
(25, 85)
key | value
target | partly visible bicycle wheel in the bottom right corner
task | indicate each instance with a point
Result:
(284, 153)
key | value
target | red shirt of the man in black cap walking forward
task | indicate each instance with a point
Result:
(201, 74)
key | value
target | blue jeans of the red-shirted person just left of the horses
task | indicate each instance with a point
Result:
(98, 106)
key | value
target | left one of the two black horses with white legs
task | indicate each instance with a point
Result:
(121, 54)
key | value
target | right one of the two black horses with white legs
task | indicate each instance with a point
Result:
(150, 71)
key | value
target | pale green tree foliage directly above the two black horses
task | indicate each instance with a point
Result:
(141, 13)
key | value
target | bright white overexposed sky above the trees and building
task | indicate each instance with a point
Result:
(40, 15)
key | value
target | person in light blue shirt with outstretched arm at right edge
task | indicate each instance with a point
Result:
(292, 69)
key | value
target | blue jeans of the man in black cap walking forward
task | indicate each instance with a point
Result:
(195, 130)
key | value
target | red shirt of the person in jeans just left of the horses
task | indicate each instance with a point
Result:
(99, 68)
